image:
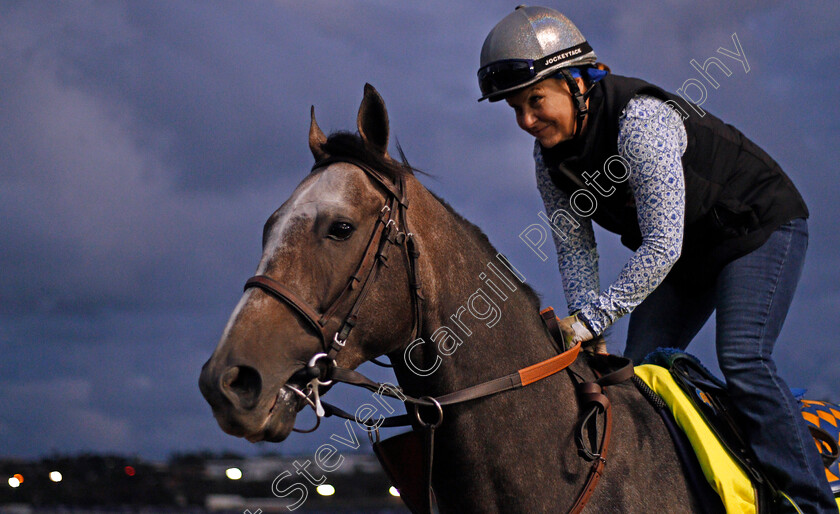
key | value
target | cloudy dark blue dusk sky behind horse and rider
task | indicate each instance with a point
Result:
(145, 143)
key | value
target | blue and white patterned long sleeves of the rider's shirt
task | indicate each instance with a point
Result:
(652, 139)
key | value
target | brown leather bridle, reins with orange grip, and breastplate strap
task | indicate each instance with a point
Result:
(322, 370)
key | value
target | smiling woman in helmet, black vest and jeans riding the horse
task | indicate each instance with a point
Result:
(714, 222)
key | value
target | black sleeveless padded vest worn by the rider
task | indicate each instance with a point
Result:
(736, 195)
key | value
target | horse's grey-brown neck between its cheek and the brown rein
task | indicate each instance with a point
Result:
(476, 308)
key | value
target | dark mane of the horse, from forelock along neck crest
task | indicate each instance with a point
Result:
(348, 144)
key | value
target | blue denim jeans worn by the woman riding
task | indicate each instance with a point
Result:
(751, 297)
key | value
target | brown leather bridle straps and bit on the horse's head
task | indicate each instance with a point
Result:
(386, 233)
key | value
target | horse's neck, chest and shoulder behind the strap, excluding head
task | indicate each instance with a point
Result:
(489, 454)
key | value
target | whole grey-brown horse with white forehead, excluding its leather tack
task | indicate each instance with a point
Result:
(513, 451)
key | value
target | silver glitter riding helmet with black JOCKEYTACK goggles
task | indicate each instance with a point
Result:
(528, 45)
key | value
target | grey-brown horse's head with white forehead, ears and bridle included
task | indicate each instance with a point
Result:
(331, 288)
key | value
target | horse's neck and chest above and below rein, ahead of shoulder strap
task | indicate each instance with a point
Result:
(478, 468)
